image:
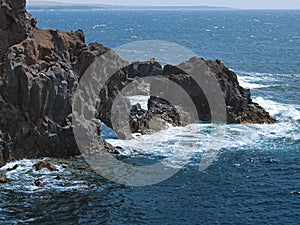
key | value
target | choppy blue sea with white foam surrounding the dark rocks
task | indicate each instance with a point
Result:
(255, 177)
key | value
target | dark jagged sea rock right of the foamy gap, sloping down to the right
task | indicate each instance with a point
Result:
(239, 107)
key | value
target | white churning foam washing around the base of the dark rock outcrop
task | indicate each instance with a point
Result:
(196, 138)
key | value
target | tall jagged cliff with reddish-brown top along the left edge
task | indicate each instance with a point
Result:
(40, 70)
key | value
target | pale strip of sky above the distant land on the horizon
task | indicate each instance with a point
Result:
(244, 4)
